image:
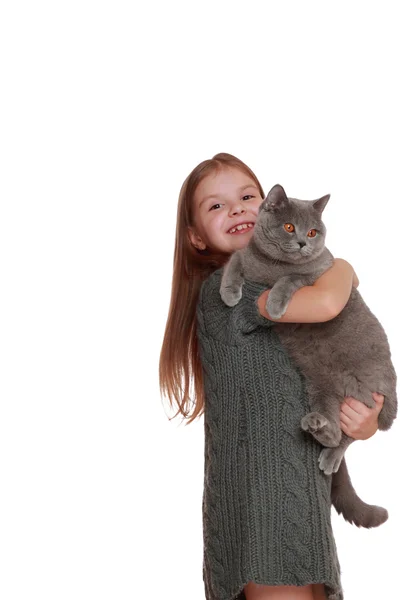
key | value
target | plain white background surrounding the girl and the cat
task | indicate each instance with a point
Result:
(105, 109)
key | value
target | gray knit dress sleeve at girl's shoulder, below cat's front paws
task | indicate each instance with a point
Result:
(231, 325)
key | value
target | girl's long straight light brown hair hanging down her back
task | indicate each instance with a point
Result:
(179, 358)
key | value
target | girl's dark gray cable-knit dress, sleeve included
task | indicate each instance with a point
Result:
(266, 503)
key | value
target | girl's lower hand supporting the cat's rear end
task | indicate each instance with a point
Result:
(357, 420)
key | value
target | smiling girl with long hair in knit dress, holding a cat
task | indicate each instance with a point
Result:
(266, 504)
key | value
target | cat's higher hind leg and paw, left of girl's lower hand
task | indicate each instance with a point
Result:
(323, 422)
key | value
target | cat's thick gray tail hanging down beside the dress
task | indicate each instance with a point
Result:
(348, 504)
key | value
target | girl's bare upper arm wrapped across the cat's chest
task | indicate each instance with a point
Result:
(319, 302)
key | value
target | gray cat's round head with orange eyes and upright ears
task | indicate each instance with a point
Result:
(288, 229)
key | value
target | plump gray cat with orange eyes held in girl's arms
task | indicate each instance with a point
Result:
(345, 356)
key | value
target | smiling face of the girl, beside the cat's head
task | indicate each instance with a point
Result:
(223, 201)
